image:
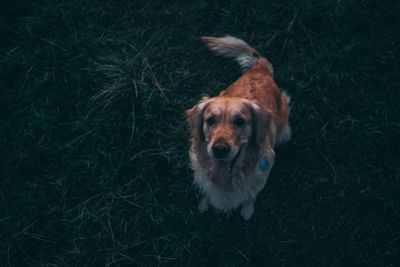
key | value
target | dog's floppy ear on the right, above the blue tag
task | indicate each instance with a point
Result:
(261, 124)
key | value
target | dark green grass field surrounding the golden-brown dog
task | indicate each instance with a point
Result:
(94, 167)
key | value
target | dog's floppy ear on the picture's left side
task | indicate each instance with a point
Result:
(194, 117)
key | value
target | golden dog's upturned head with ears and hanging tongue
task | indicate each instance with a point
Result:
(223, 125)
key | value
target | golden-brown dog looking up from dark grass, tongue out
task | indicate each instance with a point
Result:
(233, 135)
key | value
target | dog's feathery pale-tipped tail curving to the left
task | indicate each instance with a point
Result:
(237, 49)
